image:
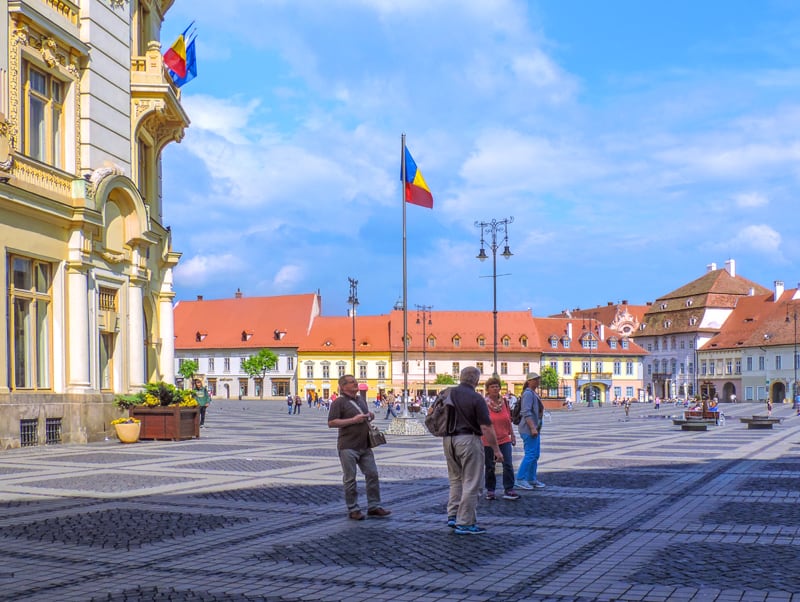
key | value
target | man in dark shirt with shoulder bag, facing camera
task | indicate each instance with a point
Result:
(350, 414)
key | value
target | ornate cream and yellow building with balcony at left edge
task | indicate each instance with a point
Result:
(86, 108)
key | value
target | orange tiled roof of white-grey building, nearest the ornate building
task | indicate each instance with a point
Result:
(263, 322)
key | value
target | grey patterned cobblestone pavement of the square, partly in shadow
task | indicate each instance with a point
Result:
(634, 509)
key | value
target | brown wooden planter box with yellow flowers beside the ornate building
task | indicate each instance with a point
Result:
(165, 412)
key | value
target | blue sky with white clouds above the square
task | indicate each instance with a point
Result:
(633, 143)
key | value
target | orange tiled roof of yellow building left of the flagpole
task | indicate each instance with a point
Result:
(335, 334)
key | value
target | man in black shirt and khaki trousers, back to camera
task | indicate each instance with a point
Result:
(463, 451)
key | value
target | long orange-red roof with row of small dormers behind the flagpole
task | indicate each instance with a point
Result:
(469, 326)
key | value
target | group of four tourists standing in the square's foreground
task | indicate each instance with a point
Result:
(480, 435)
